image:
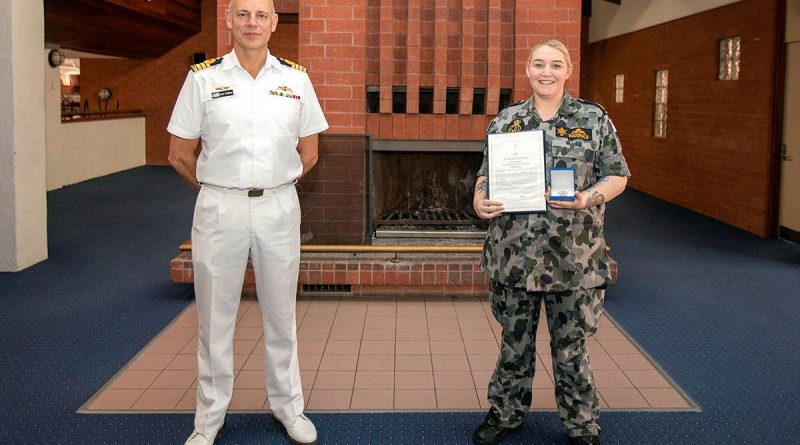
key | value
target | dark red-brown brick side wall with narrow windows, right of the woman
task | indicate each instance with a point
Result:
(717, 156)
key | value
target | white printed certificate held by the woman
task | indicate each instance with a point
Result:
(516, 170)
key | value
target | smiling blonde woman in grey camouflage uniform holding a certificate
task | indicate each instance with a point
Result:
(556, 258)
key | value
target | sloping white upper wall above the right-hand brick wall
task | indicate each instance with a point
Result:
(610, 20)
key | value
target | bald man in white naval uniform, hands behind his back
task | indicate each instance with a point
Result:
(258, 120)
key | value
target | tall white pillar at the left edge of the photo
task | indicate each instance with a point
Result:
(23, 201)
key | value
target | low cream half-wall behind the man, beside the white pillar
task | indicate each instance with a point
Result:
(77, 151)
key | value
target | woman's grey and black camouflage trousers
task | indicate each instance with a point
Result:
(571, 318)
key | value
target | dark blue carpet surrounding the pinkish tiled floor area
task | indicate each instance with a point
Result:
(716, 307)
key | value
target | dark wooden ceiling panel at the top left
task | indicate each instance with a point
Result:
(124, 28)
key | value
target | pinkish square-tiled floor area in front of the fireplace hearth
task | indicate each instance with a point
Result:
(380, 354)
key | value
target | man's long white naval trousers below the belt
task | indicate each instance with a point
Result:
(226, 229)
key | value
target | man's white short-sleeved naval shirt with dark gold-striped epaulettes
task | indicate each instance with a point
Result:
(249, 127)
